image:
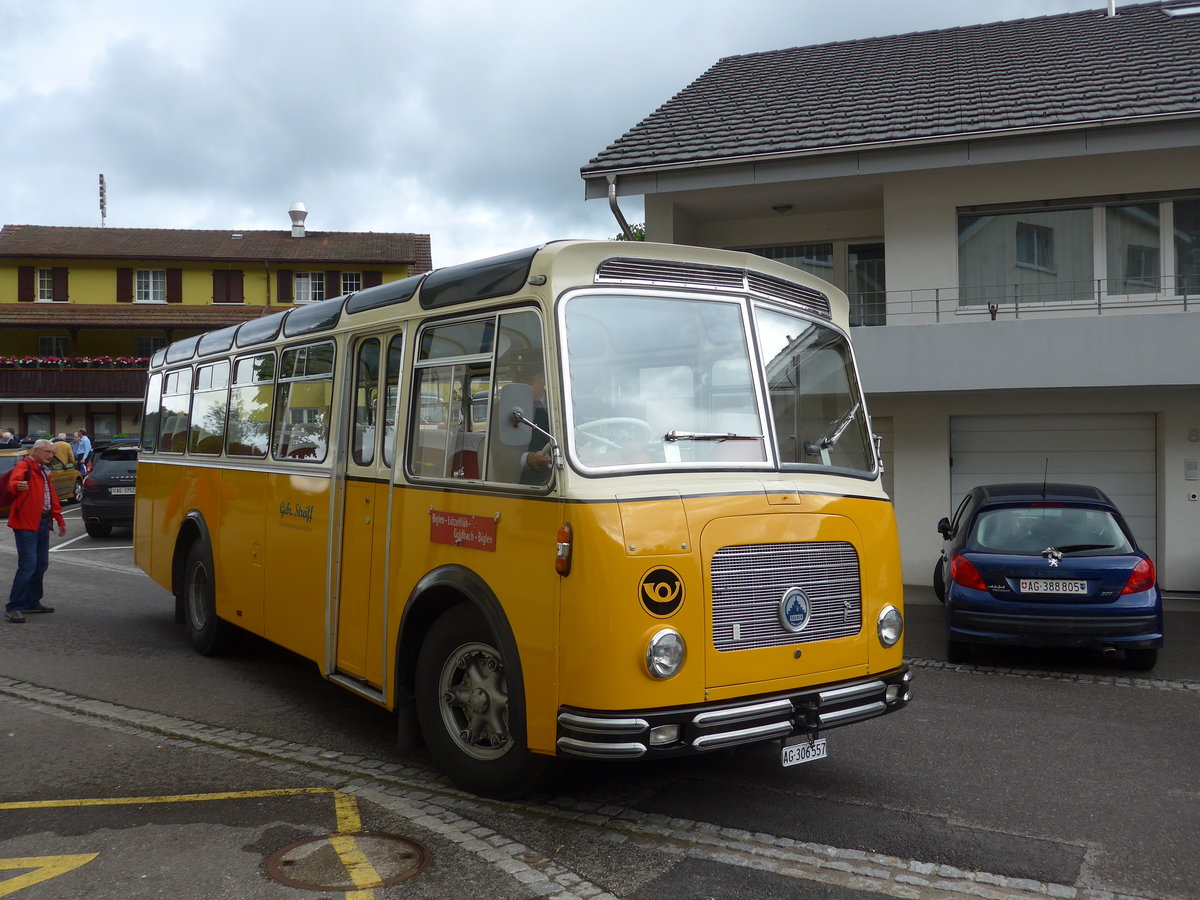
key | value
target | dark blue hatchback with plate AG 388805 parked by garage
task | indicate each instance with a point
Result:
(1047, 566)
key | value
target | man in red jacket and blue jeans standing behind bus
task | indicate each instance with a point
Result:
(31, 515)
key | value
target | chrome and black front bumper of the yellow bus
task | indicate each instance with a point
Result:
(680, 731)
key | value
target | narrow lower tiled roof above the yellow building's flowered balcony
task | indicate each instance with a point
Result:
(130, 316)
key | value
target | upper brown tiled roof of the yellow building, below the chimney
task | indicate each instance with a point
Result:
(316, 248)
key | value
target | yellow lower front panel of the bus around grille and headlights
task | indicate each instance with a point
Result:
(607, 627)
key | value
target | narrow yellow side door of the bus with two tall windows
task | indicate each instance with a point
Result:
(359, 609)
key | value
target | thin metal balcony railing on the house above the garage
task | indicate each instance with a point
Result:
(1058, 299)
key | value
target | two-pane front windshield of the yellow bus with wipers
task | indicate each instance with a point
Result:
(657, 382)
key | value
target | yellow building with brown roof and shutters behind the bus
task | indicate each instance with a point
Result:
(83, 309)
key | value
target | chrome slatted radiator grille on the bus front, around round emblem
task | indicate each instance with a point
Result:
(748, 584)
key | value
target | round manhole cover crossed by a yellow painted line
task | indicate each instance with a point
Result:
(347, 862)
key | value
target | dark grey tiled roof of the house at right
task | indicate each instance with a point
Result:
(1067, 71)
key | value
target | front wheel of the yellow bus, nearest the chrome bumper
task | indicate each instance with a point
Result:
(472, 728)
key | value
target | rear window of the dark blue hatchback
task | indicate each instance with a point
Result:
(1028, 531)
